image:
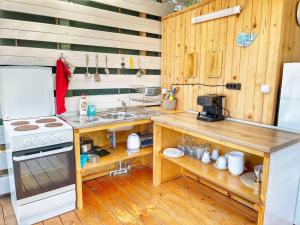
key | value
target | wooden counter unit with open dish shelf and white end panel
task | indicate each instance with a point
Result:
(277, 151)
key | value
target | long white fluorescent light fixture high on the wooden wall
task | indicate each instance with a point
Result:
(216, 15)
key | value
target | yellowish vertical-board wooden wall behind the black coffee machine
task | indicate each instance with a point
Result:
(261, 63)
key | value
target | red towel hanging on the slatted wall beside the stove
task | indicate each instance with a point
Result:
(62, 83)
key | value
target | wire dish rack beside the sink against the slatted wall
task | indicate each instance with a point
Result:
(140, 95)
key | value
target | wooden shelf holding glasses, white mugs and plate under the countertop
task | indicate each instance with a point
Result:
(221, 178)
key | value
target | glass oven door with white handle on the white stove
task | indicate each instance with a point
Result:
(44, 169)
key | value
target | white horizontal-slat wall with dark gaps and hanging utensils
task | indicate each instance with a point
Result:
(37, 32)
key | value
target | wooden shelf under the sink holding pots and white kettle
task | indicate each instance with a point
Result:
(118, 154)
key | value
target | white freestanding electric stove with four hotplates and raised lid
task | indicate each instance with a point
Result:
(40, 154)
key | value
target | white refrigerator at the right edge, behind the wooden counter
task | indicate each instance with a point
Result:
(289, 108)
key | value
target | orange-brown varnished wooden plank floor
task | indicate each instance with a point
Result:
(131, 199)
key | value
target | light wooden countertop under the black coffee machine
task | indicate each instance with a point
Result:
(250, 136)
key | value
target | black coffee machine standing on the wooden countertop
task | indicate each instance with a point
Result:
(213, 107)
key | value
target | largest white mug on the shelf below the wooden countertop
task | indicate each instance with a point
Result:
(236, 163)
